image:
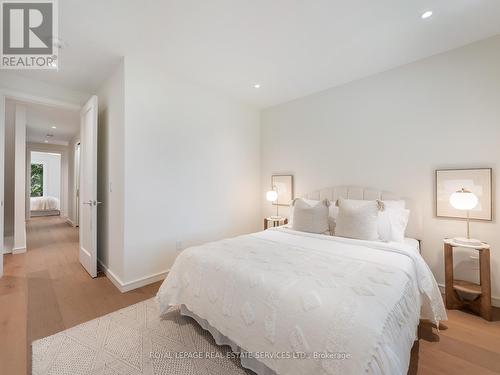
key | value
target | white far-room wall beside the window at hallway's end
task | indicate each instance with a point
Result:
(51, 172)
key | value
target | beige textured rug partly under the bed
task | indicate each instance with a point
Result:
(133, 341)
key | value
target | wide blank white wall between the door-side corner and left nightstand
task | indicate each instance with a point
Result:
(192, 167)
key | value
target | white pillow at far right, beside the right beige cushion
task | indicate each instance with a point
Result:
(393, 221)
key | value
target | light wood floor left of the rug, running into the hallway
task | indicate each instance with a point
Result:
(46, 290)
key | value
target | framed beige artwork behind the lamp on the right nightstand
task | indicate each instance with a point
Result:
(477, 180)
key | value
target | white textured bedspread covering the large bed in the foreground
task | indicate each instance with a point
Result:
(352, 306)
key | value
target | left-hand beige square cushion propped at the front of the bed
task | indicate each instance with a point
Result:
(310, 216)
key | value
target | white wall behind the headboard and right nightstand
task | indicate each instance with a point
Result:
(391, 131)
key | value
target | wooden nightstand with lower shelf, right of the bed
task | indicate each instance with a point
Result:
(481, 301)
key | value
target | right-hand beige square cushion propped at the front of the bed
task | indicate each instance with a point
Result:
(358, 219)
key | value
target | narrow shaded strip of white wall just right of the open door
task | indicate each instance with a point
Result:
(111, 172)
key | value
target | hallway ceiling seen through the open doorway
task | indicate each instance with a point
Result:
(41, 118)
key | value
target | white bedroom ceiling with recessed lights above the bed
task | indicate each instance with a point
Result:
(290, 47)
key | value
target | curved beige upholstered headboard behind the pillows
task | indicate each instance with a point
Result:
(414, 228)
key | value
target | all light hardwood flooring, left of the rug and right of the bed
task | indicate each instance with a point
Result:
(46, 291)
